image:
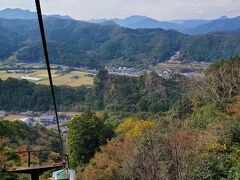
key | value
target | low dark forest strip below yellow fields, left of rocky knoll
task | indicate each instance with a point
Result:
(21, 95)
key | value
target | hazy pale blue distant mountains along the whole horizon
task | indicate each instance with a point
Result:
(189, 26)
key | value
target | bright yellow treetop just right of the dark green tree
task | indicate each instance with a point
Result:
(133, 127)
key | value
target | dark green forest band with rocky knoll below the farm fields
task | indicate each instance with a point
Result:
(147, 93)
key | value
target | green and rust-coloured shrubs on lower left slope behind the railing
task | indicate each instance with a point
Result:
(15, 136)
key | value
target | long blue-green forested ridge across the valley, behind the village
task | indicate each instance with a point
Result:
(77, 43)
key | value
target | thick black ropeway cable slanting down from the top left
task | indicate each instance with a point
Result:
(44, 43)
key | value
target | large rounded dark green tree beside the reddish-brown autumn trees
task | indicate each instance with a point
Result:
(86, 133)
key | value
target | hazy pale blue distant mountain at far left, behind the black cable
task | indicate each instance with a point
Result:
(24, 14)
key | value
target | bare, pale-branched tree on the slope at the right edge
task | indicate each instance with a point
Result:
(221, 81)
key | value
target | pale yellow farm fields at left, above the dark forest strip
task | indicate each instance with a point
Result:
(74, 78)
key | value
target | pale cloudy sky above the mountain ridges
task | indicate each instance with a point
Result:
(158, 9)
